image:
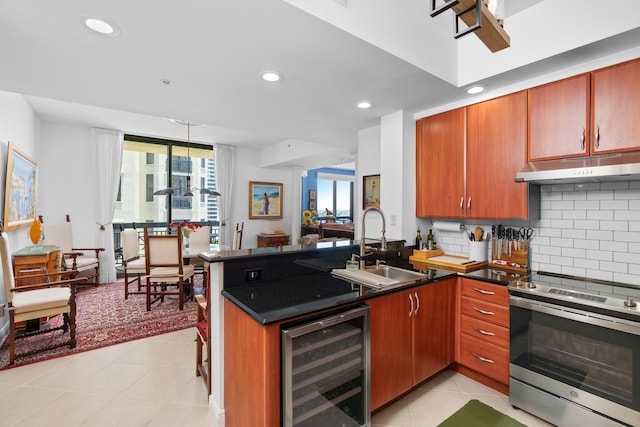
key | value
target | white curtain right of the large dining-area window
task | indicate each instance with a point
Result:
(224, 170)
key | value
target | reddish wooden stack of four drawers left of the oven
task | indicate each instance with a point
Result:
(482, 350)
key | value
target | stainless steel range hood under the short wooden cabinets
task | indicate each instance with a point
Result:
(598, 168)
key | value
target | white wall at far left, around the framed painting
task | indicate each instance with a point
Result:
(20, 127)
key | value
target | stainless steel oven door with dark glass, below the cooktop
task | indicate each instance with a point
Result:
(591, 359)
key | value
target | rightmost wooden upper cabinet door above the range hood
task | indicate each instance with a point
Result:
(615, 107)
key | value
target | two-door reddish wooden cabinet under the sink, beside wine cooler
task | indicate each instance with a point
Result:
(412, 338)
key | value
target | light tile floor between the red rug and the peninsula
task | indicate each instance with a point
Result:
(148, 382)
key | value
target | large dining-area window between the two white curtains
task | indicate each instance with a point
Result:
(150, 164)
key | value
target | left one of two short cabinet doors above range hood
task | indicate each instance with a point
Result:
(559, 119)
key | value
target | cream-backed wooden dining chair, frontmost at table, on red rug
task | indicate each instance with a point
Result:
(165, 266)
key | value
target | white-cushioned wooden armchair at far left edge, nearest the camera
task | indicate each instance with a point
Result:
(36, 301)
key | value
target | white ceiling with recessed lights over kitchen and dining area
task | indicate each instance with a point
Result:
(212, 52)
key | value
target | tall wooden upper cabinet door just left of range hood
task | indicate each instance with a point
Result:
(496, 151)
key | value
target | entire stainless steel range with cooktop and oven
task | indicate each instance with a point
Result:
(574, 355)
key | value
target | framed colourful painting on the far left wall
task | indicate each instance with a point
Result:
(20, 190)
